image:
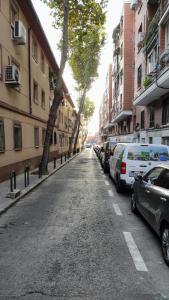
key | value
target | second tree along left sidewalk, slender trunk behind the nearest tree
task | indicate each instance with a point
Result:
(84, 61)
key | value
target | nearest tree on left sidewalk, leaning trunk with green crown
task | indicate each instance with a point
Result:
(74, 18)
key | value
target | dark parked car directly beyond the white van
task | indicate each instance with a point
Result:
(107, 148)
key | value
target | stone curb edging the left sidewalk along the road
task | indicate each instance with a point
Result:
(31, 188)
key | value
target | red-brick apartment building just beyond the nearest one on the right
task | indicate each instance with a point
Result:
(122, 85)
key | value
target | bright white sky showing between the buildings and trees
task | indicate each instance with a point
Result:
(96, 92)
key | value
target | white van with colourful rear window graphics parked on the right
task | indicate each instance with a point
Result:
(129, 159)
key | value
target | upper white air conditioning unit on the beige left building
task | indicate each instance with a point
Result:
(19, 33)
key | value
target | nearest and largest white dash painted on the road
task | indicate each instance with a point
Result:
(135, 253)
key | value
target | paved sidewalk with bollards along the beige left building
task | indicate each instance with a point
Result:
(34, 181)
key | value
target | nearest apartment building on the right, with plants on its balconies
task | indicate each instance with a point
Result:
(151, 87)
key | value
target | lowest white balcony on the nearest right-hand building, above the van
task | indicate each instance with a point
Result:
(153, 91)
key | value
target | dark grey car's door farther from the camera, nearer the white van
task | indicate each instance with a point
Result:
(146, 192)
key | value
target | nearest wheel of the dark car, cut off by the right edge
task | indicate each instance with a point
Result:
(165, 243)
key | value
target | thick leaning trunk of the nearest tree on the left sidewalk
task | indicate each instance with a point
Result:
(58, 93)
